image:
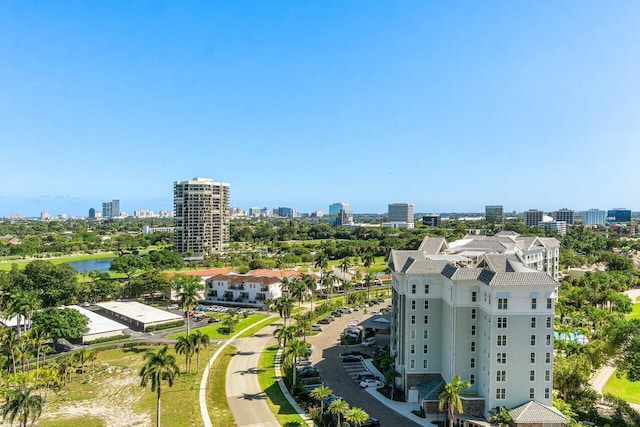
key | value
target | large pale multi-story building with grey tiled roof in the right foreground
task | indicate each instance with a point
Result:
(481, 308)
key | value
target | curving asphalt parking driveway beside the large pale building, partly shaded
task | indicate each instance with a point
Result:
(336, 375)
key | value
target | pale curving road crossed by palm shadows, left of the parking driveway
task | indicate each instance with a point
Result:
(246, 399)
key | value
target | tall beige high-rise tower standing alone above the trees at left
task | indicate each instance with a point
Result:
(201, 216)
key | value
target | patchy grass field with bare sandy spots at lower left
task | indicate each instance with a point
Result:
(111, 396)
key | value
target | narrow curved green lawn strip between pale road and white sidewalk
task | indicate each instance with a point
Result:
(280, 406)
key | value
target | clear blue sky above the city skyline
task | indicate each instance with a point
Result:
(449, 105)
